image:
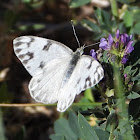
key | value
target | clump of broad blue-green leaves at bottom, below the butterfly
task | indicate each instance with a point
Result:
(78, 128)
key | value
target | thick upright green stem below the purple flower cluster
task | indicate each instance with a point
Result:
(121, 105)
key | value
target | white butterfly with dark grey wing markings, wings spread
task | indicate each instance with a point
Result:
(58, 73)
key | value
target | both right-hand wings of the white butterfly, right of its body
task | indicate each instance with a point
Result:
(87, 73)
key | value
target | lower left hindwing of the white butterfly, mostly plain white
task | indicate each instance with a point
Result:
(44, 87)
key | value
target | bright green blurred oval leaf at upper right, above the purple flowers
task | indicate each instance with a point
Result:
(128, 18)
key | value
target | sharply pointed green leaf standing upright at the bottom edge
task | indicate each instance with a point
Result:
(86, 130)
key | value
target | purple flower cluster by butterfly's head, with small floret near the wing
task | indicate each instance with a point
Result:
(120, 46)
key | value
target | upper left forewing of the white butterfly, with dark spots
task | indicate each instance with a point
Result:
(36, 52)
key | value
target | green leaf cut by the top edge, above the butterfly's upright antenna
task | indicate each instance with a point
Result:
(78, 3)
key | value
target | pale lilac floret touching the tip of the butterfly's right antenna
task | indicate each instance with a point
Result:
(106, 45)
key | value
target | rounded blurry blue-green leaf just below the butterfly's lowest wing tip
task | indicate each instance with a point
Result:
(62, 127)
